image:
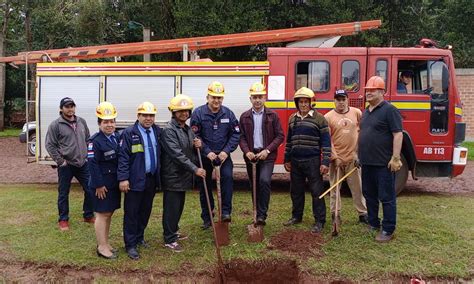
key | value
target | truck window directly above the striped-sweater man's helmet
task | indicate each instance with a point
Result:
(313, 75)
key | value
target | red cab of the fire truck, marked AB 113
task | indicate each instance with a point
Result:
(429, 102)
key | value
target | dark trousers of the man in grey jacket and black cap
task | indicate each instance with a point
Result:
(65, 175)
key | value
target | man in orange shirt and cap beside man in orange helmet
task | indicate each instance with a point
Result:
(343, 123)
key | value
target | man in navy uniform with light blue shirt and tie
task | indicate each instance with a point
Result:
(139, 175)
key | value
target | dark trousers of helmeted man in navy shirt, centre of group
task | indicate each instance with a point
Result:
(227, 181)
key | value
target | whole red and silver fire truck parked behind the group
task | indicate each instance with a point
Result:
(430, 106)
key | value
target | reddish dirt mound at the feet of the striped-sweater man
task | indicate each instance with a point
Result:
(300, 243)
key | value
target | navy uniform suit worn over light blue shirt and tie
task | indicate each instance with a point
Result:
(139, 200)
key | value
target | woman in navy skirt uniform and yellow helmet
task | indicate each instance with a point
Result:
(102, 155)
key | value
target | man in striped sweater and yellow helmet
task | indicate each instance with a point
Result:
(307, 157)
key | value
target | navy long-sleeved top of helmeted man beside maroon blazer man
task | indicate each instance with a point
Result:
(218, 131)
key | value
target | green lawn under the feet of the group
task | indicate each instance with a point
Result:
(434, 237)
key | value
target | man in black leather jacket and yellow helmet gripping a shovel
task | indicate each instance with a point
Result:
(179, 156)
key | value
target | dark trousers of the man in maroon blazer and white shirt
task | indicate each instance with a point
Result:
(264, 185)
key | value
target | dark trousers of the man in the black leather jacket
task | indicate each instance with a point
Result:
(173, 205)
